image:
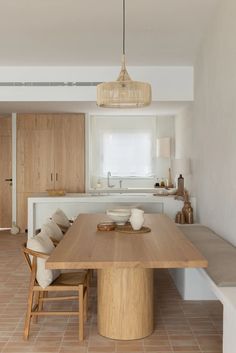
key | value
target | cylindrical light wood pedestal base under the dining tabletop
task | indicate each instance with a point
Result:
(125, 303)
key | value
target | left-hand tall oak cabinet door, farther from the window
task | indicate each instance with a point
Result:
(35, 162)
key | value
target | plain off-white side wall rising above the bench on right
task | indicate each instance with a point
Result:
(214, 124)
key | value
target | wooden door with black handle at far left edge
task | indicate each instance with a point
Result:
(5, 172)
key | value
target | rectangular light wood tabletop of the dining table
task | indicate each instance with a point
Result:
(164, 247)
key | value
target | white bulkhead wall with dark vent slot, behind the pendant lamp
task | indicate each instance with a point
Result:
(169, 83)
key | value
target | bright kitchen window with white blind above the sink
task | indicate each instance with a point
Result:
(123, 145)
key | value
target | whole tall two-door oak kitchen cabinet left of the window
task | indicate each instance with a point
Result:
(50, 155)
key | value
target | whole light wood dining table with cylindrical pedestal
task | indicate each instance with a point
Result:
(125, 264)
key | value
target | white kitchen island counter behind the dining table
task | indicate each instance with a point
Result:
(42, 206)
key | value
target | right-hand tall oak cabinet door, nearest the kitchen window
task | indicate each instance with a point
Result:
(69, 140)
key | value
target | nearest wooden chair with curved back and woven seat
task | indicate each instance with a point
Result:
(71, 281)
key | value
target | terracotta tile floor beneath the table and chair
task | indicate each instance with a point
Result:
(180, 326)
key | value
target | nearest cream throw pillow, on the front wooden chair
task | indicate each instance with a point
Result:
(42, 243)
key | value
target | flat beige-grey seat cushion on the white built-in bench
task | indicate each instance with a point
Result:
(221, 255)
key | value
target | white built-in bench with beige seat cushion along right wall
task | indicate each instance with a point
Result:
(218, 281)
